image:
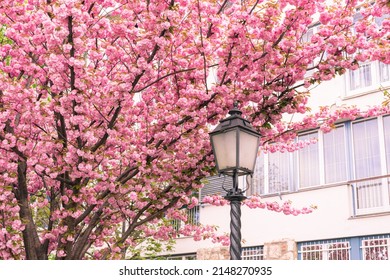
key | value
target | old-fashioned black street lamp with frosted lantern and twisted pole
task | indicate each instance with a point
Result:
(235, 144)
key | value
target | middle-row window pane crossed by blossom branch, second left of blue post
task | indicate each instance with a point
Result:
(309, 169)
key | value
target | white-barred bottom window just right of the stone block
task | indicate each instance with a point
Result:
(325, 250)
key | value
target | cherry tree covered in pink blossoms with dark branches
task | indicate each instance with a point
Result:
(106, 105)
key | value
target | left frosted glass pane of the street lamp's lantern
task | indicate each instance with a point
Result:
(225, 149)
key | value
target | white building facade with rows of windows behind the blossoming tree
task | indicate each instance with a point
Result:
(346, 174)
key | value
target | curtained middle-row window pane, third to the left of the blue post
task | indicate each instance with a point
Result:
(278, 172)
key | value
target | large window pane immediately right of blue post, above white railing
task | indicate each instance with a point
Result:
(366, 149)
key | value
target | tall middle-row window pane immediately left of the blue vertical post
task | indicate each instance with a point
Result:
(334, 156)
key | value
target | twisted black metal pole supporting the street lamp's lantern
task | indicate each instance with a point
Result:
(235, 196)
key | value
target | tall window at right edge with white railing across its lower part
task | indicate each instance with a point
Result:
(370, 152)
